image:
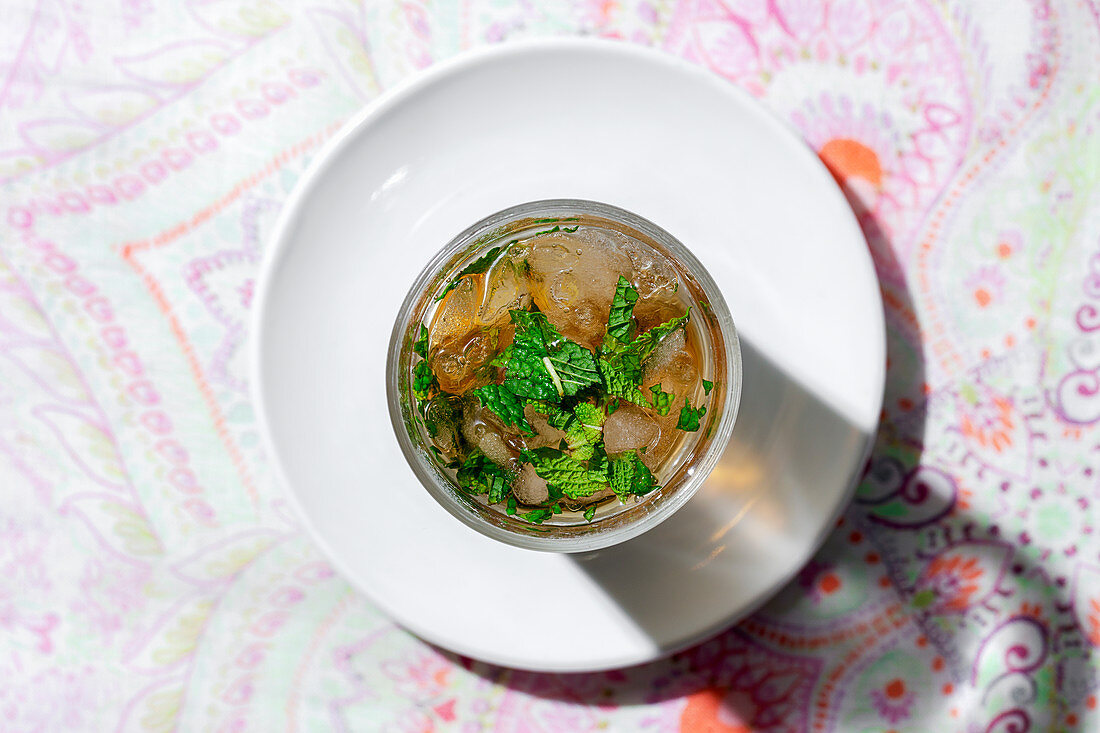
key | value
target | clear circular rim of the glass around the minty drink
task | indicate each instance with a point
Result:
(653, 510)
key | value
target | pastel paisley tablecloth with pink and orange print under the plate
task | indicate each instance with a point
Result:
(152, 577)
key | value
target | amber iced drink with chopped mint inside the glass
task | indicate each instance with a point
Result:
(562, 371)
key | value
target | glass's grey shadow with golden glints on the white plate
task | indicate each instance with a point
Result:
(753, 524)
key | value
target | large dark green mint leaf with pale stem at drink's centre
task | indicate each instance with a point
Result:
(544, 364)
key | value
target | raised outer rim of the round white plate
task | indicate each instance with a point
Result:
(279, 246)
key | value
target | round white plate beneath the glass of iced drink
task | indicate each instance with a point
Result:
(614, 124)
